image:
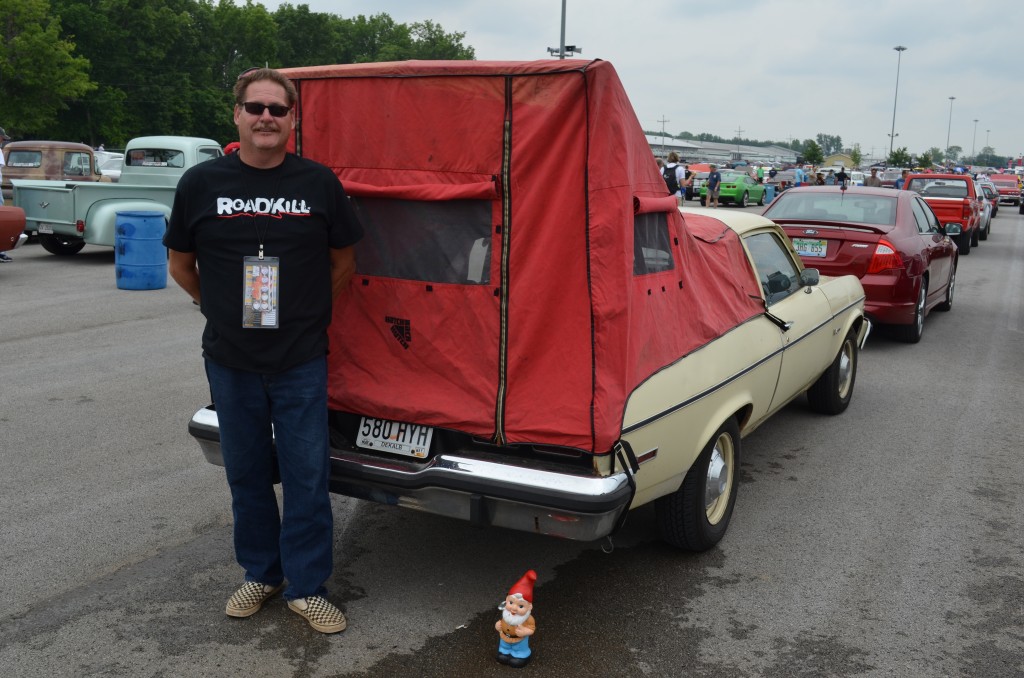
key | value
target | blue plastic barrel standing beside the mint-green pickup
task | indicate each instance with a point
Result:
(140, 256)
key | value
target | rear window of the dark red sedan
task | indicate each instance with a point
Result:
(879, 210)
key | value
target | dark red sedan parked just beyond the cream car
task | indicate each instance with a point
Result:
(891, 240)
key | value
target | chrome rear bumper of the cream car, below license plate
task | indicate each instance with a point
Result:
(493, 491)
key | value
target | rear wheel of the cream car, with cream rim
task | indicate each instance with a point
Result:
(687, 519)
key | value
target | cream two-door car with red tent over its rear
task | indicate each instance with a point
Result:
(537, 337)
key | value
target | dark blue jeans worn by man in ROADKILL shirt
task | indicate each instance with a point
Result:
(296, 545)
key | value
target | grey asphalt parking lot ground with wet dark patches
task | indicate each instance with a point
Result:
(885, 542)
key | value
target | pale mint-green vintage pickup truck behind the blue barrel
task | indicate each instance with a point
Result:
(69, 216)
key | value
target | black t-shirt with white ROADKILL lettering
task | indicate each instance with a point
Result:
(223, 209)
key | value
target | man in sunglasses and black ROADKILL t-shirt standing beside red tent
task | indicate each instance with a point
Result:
(263, 240)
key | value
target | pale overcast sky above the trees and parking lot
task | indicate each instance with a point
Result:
(775, 69)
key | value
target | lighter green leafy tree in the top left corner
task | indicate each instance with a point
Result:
(40, 74)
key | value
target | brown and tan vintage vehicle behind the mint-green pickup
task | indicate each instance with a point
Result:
(60, 161)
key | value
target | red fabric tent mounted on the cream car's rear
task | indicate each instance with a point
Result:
(524, 269)
